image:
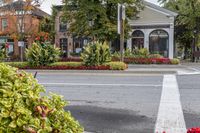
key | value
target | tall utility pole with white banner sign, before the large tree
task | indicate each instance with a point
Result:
(121, 20)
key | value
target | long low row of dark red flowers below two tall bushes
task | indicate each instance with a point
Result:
(69, 67)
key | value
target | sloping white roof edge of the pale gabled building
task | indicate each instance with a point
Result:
(166, 11)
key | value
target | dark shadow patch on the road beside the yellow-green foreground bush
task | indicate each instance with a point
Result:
(104, 120)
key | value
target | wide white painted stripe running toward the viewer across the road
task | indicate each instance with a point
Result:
(170, 115)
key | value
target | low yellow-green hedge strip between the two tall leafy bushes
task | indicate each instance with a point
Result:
(70, 64)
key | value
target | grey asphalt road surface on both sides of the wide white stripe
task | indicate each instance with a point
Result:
(120, 103)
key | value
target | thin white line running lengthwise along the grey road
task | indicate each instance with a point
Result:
(90, 84)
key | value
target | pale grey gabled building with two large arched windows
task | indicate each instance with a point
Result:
(153, 29)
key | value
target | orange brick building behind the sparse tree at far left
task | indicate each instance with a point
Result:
(15, 22)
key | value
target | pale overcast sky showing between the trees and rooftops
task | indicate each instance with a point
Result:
(46, 6)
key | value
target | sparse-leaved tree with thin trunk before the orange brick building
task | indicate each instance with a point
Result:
(21, 24)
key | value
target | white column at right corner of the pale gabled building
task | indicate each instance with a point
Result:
(171, 41)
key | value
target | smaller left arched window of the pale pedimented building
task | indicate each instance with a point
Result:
(137, 39)
